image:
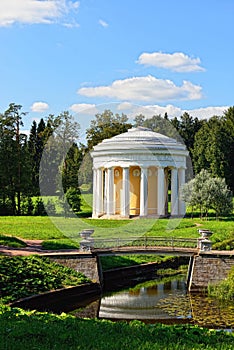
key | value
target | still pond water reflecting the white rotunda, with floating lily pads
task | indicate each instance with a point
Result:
(164, 301)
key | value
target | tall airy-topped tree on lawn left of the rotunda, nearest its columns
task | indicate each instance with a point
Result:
(60, 133)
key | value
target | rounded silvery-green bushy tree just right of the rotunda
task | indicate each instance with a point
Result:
(205, 192)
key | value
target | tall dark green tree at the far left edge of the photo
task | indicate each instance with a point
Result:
(14, 155)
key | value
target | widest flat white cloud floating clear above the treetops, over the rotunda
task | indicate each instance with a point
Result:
(145, 89)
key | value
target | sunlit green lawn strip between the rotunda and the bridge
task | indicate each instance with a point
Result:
(54, 229)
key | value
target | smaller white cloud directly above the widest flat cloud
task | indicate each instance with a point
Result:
(178, 61)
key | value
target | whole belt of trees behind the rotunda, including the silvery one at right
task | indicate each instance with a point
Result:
(210, 144)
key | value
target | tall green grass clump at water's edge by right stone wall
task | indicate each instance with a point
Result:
(225, 289)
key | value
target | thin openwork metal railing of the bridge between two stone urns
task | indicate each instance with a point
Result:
(144, 241)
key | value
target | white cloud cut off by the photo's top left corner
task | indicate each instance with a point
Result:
(35, 11)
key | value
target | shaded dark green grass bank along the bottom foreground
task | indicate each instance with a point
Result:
(33, 330)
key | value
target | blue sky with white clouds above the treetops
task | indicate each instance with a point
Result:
(130, 56)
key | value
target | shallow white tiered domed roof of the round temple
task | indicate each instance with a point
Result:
(139, 137)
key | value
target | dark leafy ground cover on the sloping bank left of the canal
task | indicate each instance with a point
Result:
(25, 276)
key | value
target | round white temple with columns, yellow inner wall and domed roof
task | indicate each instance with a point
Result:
(131, 174)
